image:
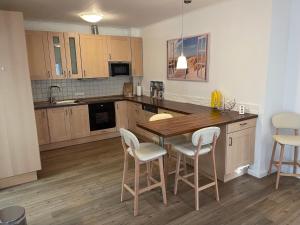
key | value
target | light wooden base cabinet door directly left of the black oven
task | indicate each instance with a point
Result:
(79, 121)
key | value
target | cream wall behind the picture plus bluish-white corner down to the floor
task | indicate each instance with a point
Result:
(248, 54)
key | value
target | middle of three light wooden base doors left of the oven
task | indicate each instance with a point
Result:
(59, 124)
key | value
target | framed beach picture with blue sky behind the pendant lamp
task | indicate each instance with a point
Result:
(195, 49)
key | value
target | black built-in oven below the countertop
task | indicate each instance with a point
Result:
(102, 116)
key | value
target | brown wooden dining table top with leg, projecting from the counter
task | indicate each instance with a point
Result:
(189, 123)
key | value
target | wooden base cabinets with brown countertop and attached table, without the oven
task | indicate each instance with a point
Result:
(235, 149)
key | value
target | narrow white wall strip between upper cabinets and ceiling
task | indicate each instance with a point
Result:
(69, 27)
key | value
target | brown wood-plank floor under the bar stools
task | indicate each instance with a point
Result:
(82, 184)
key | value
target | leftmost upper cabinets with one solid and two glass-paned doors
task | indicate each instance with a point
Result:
(53, 55)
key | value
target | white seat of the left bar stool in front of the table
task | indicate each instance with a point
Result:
(148, 151)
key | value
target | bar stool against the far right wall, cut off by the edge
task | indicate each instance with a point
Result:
(286, 120)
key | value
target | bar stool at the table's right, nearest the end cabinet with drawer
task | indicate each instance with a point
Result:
(203, 142)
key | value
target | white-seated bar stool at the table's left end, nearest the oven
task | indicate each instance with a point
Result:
(143, 153)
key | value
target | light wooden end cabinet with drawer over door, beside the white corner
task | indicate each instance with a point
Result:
(234, 150)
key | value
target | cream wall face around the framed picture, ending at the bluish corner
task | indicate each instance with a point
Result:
(240, 34)
